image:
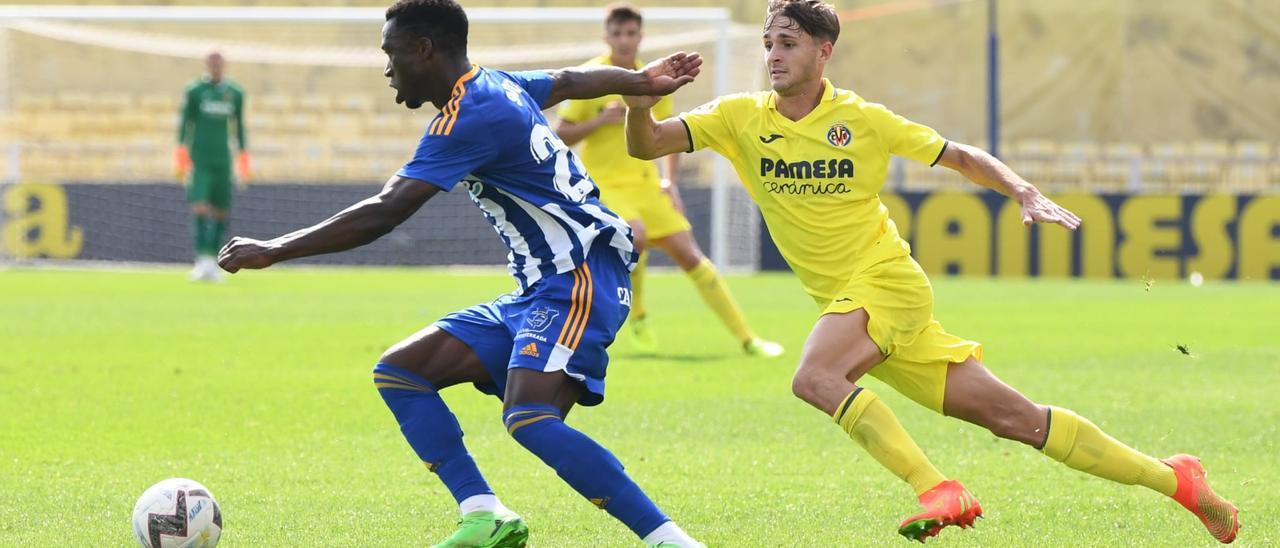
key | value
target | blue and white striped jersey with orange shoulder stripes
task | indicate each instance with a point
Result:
(492, 136)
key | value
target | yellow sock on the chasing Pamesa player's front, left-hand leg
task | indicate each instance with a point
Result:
(872, 424)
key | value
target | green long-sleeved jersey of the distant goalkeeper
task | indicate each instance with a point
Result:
(208, 112)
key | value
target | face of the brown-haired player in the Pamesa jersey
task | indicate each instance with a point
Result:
(793, 57)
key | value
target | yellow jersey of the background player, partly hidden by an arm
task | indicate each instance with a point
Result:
(605, 152)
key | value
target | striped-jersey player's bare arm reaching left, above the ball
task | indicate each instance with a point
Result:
(353, 227)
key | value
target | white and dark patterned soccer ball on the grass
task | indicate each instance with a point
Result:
(177, 513)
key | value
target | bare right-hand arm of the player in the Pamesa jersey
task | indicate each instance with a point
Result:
(982, 168)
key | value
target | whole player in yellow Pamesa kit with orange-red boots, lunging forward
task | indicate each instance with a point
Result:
(815, 158)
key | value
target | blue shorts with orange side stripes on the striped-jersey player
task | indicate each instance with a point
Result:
(563, 323)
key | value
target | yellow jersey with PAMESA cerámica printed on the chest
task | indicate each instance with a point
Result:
(817, 181)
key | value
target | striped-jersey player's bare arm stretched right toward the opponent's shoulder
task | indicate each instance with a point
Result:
(661, 77)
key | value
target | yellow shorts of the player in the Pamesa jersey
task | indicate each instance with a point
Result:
(899, 300)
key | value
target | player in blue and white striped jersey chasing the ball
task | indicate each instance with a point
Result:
(542, 349)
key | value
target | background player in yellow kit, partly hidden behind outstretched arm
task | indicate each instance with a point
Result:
(634, 190)
